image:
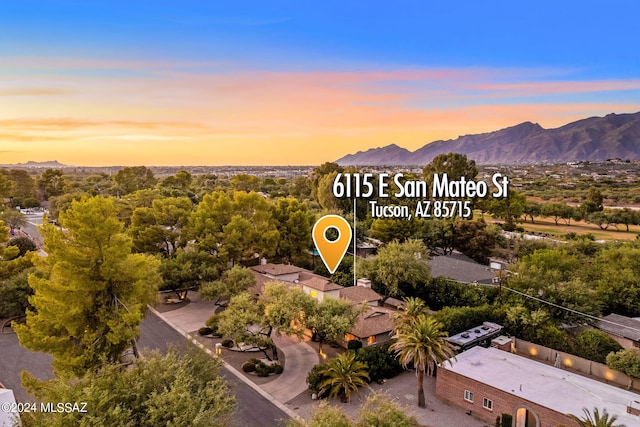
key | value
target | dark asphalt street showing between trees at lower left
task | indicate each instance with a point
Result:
(252, 409)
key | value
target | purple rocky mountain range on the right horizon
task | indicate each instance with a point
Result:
(591, 139)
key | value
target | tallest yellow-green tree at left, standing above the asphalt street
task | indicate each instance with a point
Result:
(91, 292)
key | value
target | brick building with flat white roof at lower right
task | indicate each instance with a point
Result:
(488, 382)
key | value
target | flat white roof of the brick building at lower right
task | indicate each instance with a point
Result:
(533, 381)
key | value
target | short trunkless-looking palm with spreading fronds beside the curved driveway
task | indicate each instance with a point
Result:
(345, 374)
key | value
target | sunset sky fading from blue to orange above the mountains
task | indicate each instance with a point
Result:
(298, 83)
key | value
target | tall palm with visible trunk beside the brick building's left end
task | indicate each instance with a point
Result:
(422, 343)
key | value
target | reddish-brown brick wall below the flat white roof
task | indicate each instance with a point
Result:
(450, 387)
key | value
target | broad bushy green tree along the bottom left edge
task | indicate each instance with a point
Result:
(180, 389)
